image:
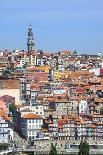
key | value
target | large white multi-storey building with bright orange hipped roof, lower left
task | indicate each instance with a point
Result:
(30, 126)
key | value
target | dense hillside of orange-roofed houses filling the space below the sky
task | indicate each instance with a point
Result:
(57, 96)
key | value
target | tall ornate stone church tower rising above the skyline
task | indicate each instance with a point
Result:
(30, 40)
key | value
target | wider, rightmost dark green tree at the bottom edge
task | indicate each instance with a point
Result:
(83, 148)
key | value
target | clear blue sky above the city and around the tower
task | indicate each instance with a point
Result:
(57, 24)
